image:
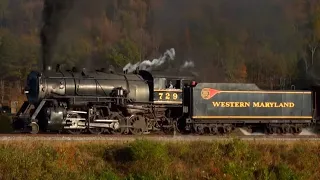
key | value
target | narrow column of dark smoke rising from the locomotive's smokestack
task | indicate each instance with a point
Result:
(52, 17)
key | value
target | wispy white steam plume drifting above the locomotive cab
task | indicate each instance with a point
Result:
(149, 65)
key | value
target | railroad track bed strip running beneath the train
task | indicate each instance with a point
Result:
(126, 138)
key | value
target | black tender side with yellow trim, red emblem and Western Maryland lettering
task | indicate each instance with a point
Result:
(210, 103)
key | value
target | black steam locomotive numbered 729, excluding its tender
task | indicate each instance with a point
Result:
(101, 101)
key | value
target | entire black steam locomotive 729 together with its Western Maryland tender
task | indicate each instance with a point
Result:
(141, 102)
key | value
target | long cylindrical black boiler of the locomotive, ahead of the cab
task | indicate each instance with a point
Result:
(60, 84)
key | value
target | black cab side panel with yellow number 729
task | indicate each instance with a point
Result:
(167, 96)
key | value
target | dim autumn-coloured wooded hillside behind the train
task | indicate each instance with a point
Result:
(262, 41)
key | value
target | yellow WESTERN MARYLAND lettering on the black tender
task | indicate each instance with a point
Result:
(254, 104)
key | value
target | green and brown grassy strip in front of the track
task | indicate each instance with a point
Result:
(154, 160)
